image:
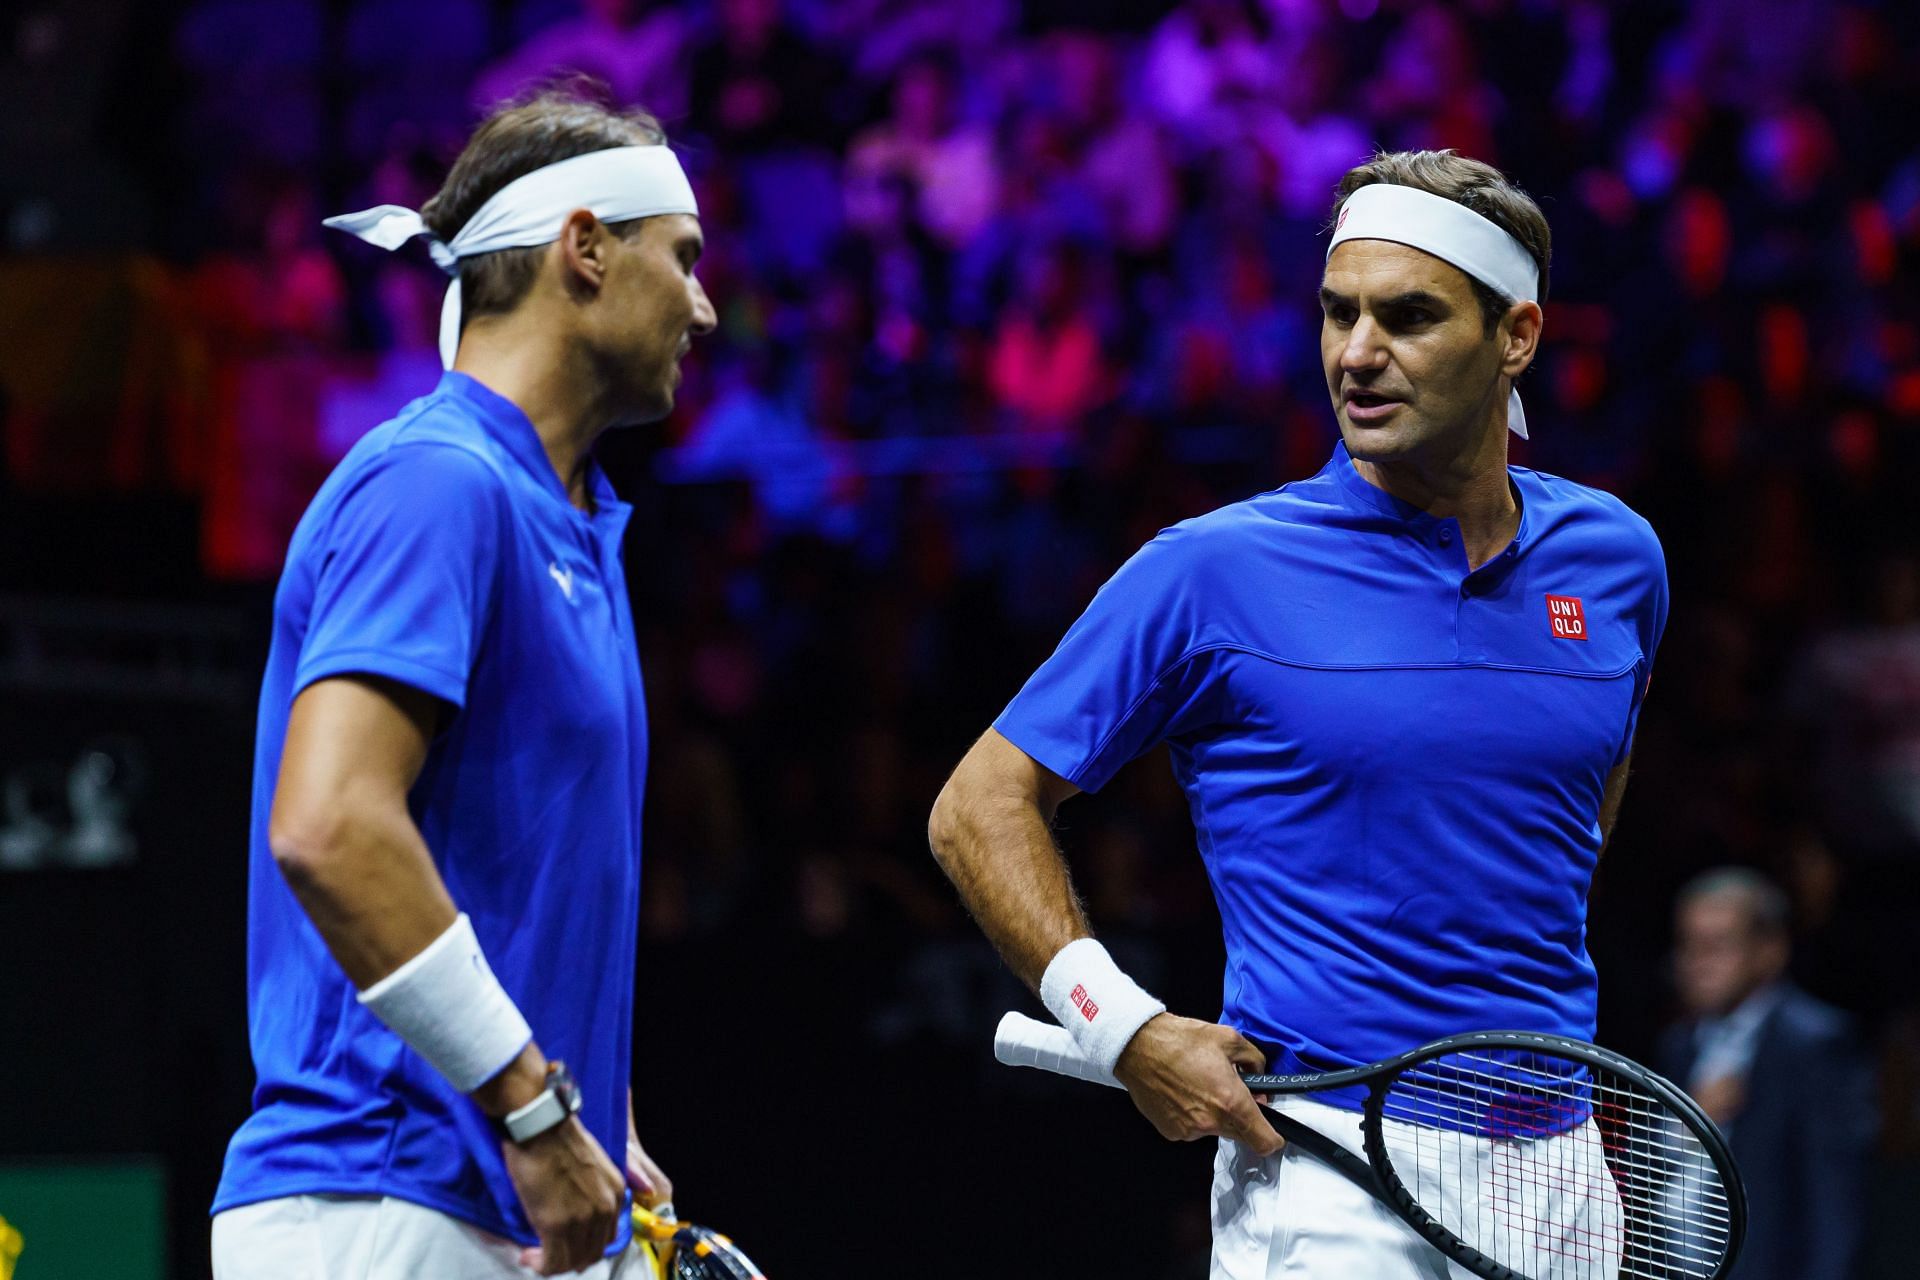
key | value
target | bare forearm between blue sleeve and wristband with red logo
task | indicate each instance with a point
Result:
(996, 845)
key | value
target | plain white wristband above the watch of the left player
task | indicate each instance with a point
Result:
(450, 1008)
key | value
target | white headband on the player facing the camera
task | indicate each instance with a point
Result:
(1454, 235)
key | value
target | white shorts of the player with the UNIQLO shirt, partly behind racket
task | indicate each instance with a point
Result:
(1295, 1218)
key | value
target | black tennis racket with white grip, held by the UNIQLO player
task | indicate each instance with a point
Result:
(1520, 1156)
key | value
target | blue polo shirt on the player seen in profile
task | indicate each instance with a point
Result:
(443, 554)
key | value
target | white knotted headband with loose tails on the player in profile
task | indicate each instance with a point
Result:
(615, 185)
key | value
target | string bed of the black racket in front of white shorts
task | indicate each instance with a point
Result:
(1556, 1170)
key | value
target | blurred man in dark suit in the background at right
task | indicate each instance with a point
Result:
(1779, 1072)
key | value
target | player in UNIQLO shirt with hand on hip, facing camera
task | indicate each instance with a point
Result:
(1401, 699)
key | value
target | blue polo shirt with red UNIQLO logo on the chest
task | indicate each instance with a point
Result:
(1395, 767)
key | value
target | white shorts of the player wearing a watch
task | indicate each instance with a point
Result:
(373, 1239)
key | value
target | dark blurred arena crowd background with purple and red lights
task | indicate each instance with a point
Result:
(1003, 291)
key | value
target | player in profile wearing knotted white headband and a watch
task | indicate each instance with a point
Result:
(444, 870)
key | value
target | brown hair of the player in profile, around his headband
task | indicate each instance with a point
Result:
(517, 139)
